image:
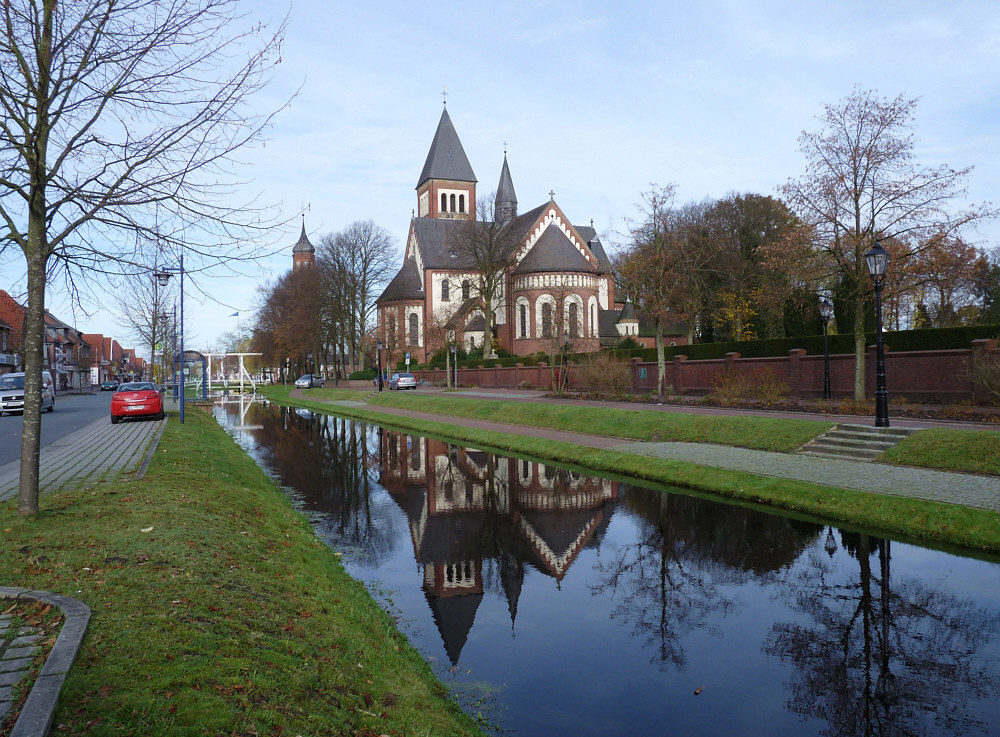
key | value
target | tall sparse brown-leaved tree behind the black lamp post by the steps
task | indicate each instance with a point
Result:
(862, 185)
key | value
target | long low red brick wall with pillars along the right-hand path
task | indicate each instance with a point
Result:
(919, 376)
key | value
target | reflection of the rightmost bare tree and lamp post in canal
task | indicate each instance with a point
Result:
(882, 655)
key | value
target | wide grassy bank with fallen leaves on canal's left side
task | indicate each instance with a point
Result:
(215, 608)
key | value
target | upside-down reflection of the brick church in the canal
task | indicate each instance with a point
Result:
(466, 507)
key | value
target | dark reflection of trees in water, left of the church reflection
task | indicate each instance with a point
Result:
(328, 462)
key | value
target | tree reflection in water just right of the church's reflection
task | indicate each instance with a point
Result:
(670, 582)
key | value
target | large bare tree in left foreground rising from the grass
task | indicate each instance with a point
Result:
(121, 119)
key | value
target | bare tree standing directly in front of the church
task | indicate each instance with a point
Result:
(488, 246)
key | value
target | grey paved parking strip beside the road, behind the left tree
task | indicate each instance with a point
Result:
(96, 452)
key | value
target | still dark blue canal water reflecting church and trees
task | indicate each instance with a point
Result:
(551, 601)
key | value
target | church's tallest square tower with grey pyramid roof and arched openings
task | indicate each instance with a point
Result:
(447, 184)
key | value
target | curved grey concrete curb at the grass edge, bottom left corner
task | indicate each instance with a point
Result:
(36, 716)
